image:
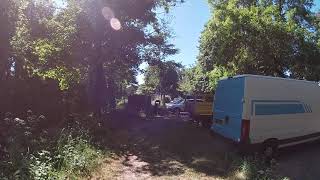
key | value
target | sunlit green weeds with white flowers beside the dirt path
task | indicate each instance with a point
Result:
(73, 157)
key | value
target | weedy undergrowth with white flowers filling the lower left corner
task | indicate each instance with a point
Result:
(29, 152)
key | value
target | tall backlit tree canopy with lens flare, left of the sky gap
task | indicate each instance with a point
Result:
(99, 44)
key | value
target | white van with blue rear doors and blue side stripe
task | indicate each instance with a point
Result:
(269, 111)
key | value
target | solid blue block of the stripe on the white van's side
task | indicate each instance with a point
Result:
(277, 109)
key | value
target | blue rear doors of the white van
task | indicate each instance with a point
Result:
(228, 107)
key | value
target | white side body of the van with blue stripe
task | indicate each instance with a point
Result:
(285, 93)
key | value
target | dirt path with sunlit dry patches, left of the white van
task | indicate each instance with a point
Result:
(167, 148)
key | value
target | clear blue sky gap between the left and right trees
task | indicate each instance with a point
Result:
(187, 22)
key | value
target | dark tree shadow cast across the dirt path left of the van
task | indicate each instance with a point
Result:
(168, 146)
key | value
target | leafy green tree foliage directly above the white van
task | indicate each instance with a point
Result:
(277, 38)
